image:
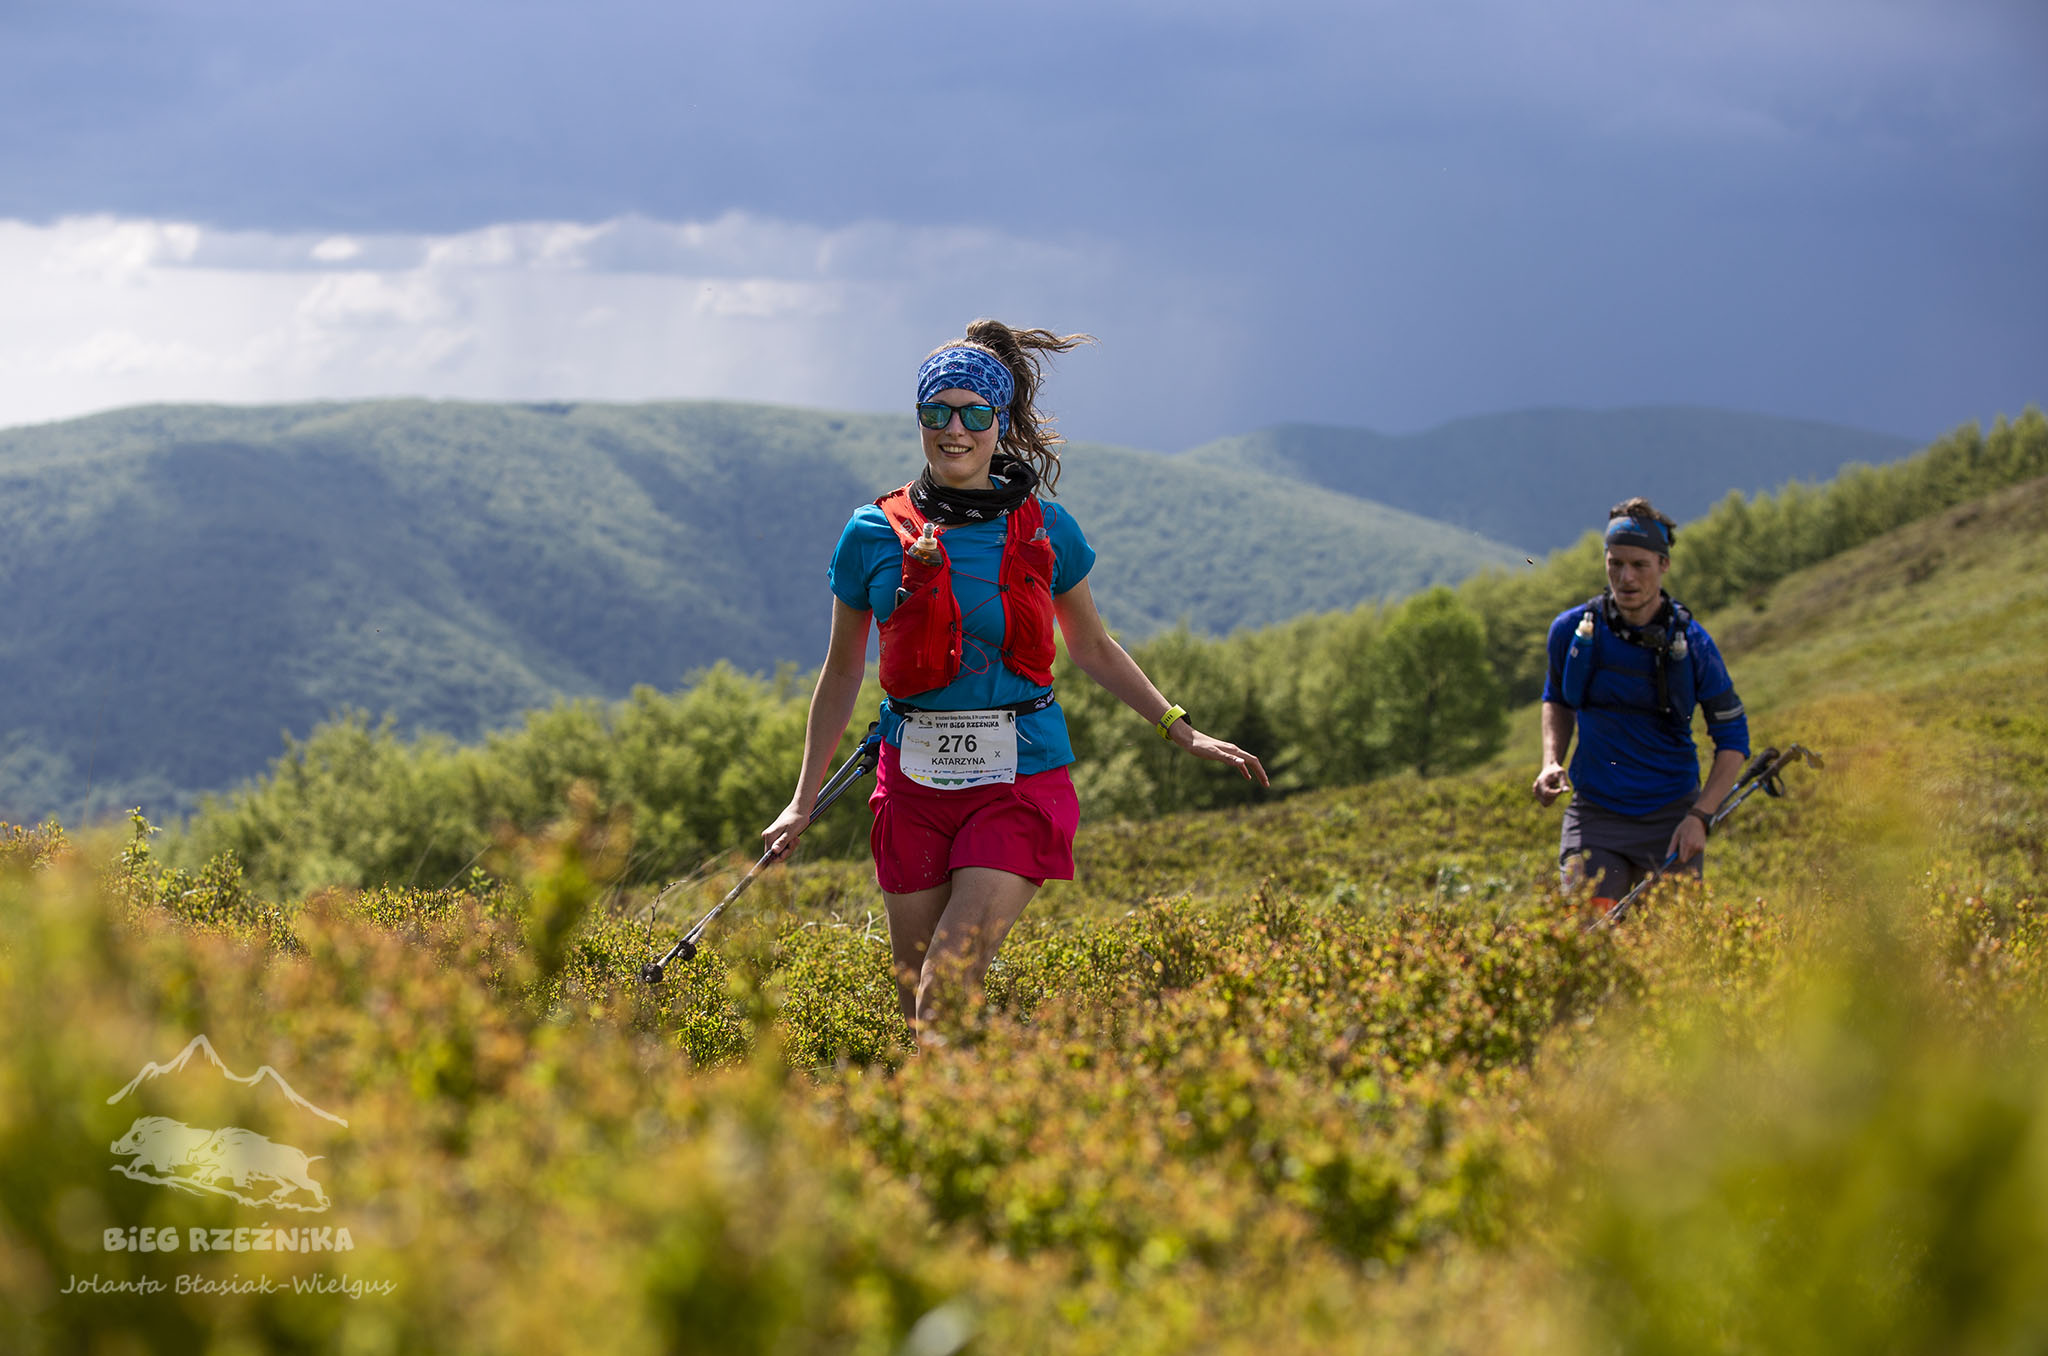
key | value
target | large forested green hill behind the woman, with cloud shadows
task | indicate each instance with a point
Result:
(185, 585)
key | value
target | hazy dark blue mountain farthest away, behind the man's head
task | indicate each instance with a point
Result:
(1541, 478)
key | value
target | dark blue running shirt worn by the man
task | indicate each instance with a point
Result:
(1631, 757)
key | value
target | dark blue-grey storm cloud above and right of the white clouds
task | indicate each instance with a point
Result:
(1394, 212)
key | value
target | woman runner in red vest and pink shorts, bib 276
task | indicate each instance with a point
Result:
(968, 570)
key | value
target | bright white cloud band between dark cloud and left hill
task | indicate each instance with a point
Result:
(108, 312)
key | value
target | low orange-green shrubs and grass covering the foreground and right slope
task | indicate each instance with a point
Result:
(1326, 1074)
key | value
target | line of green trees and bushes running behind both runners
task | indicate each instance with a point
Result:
(1424, 685)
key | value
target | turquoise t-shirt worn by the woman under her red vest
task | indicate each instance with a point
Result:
(867, 568)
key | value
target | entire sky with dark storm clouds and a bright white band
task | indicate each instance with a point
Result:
(1381, 214)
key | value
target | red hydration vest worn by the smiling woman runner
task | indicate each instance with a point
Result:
(923, 636)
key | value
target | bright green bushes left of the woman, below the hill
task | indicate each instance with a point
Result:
(355, 804)
